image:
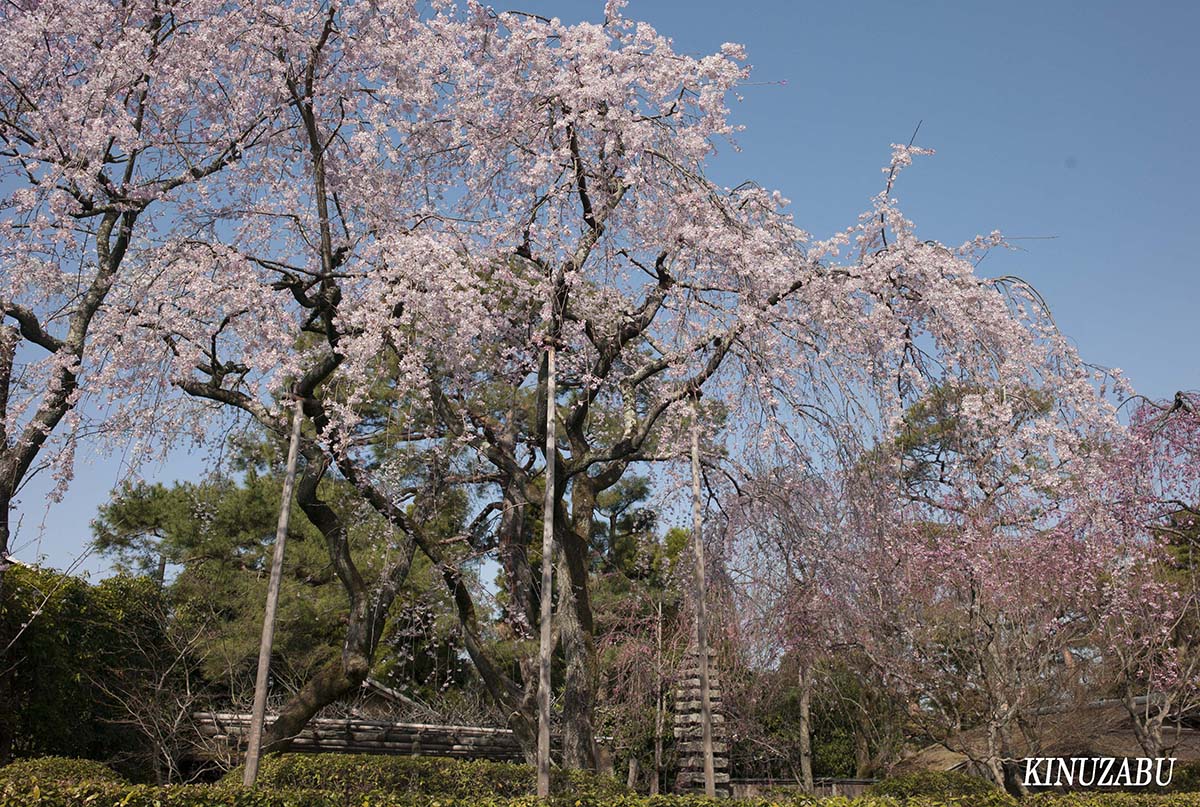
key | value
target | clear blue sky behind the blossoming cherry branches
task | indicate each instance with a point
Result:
(1076, 121)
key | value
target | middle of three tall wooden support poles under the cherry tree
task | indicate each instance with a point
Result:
(545, 649)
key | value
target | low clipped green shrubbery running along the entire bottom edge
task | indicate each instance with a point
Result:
(364, 781)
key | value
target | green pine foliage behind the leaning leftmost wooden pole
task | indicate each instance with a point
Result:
(217, 536)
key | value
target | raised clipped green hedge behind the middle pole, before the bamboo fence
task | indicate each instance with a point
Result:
(429, 776)
